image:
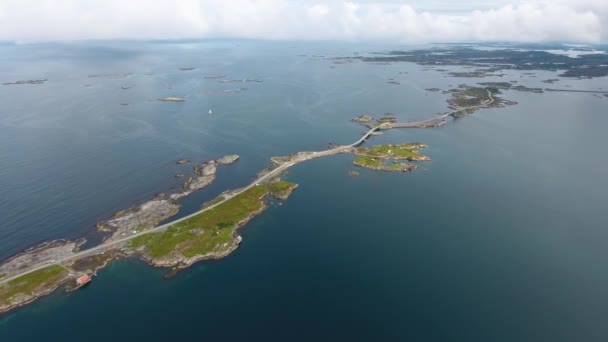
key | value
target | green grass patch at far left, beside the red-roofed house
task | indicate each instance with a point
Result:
(27, 284)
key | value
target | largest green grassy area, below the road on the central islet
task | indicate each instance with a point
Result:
(211, 231)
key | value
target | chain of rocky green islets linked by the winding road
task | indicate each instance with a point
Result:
(212, 231)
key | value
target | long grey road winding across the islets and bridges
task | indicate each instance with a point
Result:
(271, 174)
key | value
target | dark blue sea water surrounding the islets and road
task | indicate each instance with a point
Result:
(500, 237)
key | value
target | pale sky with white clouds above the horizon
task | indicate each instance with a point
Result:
(403, 21)
